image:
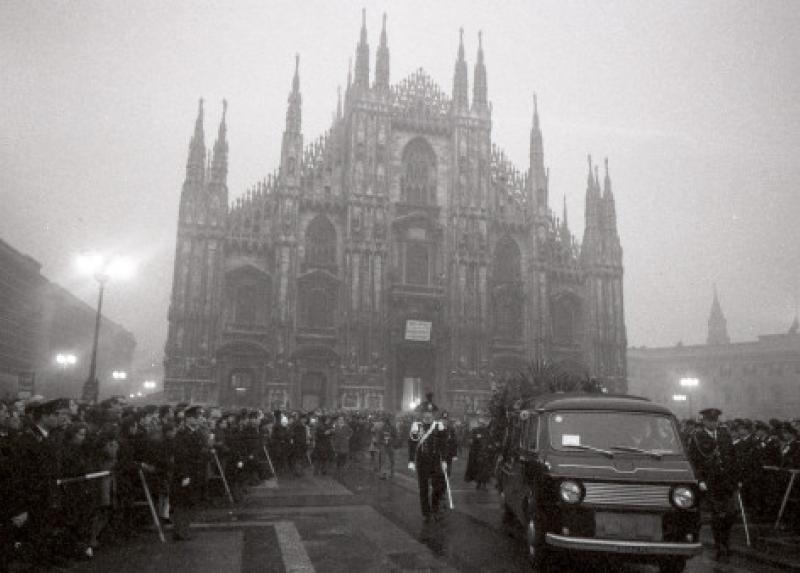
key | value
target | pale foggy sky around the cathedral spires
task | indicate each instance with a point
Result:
(696, 104)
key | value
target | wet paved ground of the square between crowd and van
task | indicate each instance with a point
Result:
(357, 522)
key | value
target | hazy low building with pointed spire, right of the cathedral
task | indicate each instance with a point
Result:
(756, 379)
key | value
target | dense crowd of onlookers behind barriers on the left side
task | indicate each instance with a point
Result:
(75, 477)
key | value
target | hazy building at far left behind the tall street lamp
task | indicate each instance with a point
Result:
(40, 320)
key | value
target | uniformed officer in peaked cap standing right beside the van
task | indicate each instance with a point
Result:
(713, 456)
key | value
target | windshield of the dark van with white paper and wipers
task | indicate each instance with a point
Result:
(612, 432)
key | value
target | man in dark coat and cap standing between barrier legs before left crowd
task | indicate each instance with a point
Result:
(189, 474)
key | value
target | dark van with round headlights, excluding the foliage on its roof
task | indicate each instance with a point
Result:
(600, 474)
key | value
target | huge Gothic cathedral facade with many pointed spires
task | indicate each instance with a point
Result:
(398, 253)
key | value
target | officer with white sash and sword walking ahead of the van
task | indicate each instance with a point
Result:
(426, 455)
